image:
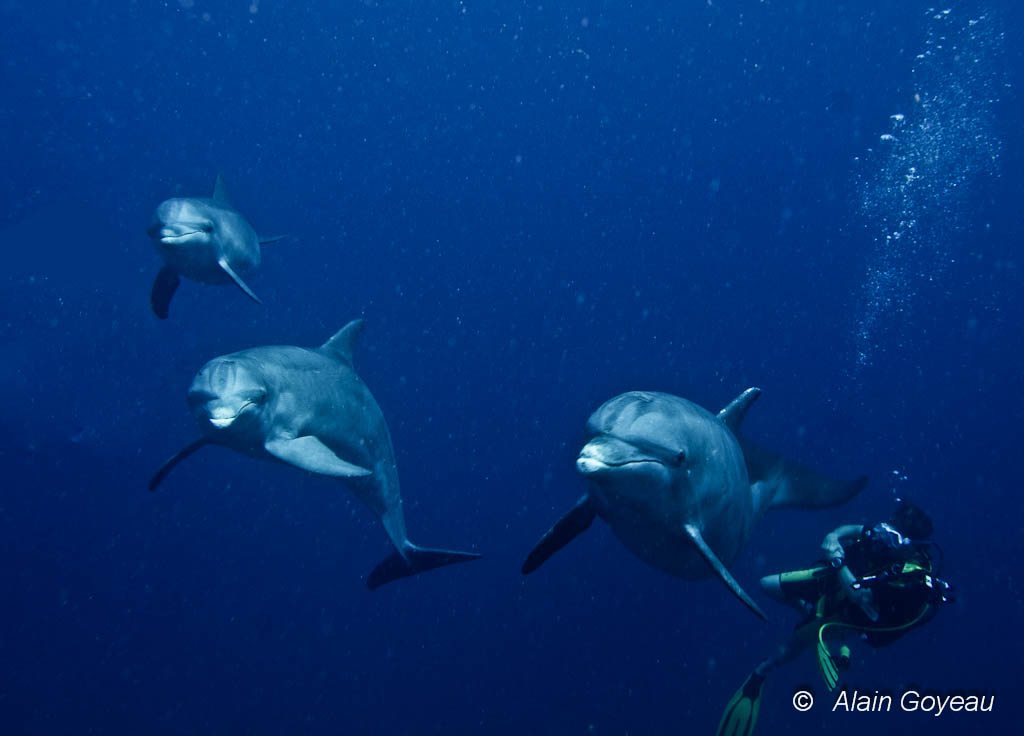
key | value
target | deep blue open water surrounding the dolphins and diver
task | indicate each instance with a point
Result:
(536, 206)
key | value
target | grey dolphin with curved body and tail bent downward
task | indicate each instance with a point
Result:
(309, 409)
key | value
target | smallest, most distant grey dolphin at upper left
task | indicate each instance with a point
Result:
(205, 240)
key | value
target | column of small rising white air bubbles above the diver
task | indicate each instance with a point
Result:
(915, 203)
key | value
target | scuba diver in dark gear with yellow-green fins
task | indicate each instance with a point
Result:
(878, 583)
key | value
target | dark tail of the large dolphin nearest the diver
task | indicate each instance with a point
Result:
(780, 483)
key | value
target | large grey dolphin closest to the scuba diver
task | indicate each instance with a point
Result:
(679, 489)
